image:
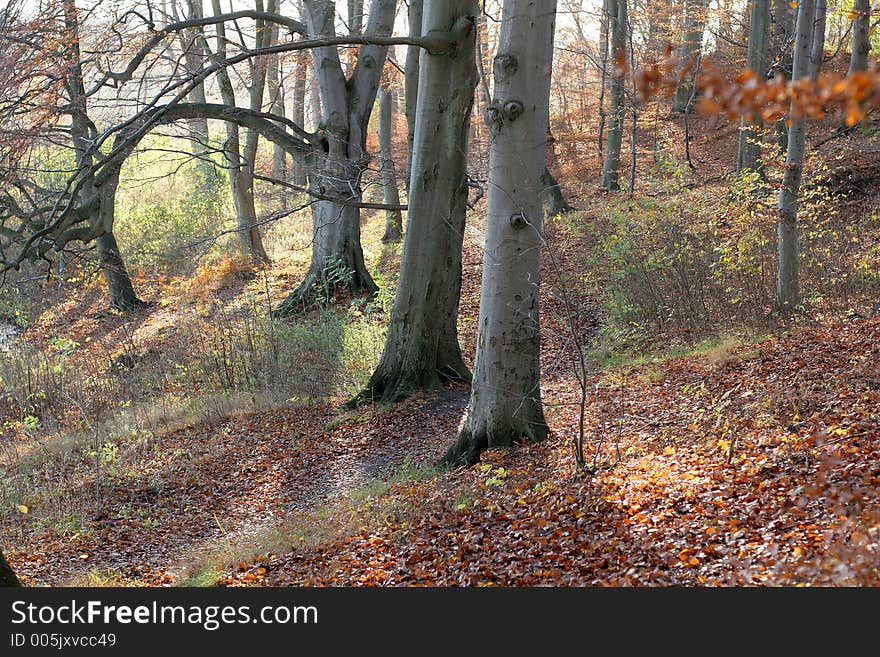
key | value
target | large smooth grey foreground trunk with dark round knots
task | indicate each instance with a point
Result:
(505, 404)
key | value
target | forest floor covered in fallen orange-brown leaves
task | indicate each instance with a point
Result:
(746, 461)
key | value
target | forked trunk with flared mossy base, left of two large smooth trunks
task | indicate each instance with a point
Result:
(347, 104)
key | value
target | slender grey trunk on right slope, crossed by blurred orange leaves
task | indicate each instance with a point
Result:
(787, 293)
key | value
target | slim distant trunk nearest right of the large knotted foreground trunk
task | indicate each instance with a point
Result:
(611, 166)
